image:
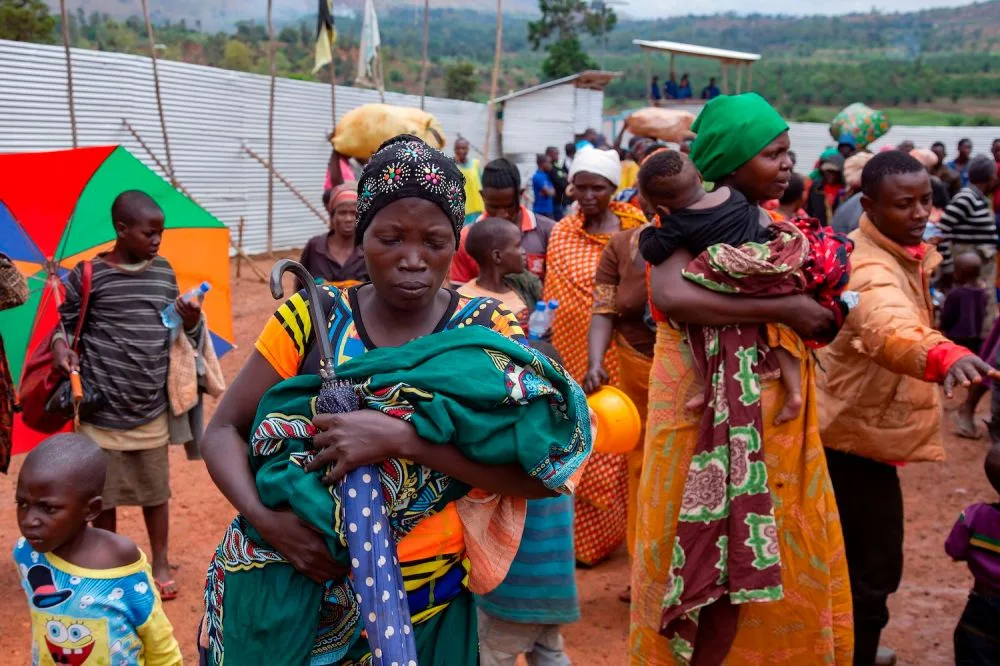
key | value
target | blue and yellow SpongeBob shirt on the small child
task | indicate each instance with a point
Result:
(91, 617)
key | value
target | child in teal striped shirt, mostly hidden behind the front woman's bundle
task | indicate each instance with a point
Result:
(524, 614)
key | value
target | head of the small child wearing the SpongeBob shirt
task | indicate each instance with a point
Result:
(59, 490)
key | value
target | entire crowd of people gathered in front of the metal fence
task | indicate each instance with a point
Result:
(784, 338)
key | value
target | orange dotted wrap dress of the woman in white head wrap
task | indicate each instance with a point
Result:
(573, 255)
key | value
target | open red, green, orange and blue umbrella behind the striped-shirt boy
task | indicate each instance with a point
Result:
(55, 211)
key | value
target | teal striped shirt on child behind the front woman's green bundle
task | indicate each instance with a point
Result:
(540, 587)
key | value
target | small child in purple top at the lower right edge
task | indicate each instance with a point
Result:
(974, 540)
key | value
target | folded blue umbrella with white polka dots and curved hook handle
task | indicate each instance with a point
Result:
(377, 577)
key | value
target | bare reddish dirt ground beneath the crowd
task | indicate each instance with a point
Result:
(924, 611)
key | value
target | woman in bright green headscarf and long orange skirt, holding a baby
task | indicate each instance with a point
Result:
(742, 143)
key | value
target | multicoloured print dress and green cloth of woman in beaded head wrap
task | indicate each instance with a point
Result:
(432, 547)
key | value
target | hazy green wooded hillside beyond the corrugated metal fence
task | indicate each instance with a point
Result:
(941, 60)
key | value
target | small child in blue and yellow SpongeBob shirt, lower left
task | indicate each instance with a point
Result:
(90, 592)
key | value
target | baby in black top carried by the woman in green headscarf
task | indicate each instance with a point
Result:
(696, 220)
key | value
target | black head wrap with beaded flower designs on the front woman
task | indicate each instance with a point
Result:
(404, 167)
